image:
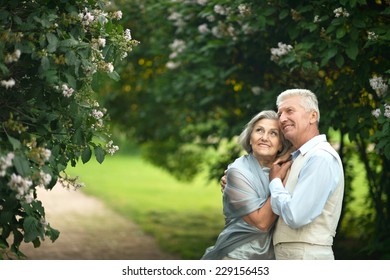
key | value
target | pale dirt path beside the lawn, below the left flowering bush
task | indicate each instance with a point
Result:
(90, 231)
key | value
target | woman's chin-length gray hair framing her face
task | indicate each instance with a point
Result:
(245, 136)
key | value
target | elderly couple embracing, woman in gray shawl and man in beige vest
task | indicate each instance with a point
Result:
(283, 199)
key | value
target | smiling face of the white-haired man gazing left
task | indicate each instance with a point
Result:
(294, 120)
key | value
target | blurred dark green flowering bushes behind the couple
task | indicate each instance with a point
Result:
(207, 66)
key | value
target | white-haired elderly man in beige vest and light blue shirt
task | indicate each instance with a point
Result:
(309, 205)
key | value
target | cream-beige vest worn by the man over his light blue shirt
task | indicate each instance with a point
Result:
(322, 229)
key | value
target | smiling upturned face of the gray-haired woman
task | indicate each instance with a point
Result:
(266, 141)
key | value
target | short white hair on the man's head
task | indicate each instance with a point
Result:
(308, 99)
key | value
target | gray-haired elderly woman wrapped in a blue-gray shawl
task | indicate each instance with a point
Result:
(247, 233)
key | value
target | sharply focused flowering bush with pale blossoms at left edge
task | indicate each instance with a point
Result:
(50, 54)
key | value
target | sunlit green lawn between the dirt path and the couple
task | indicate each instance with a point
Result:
(184, 218)
